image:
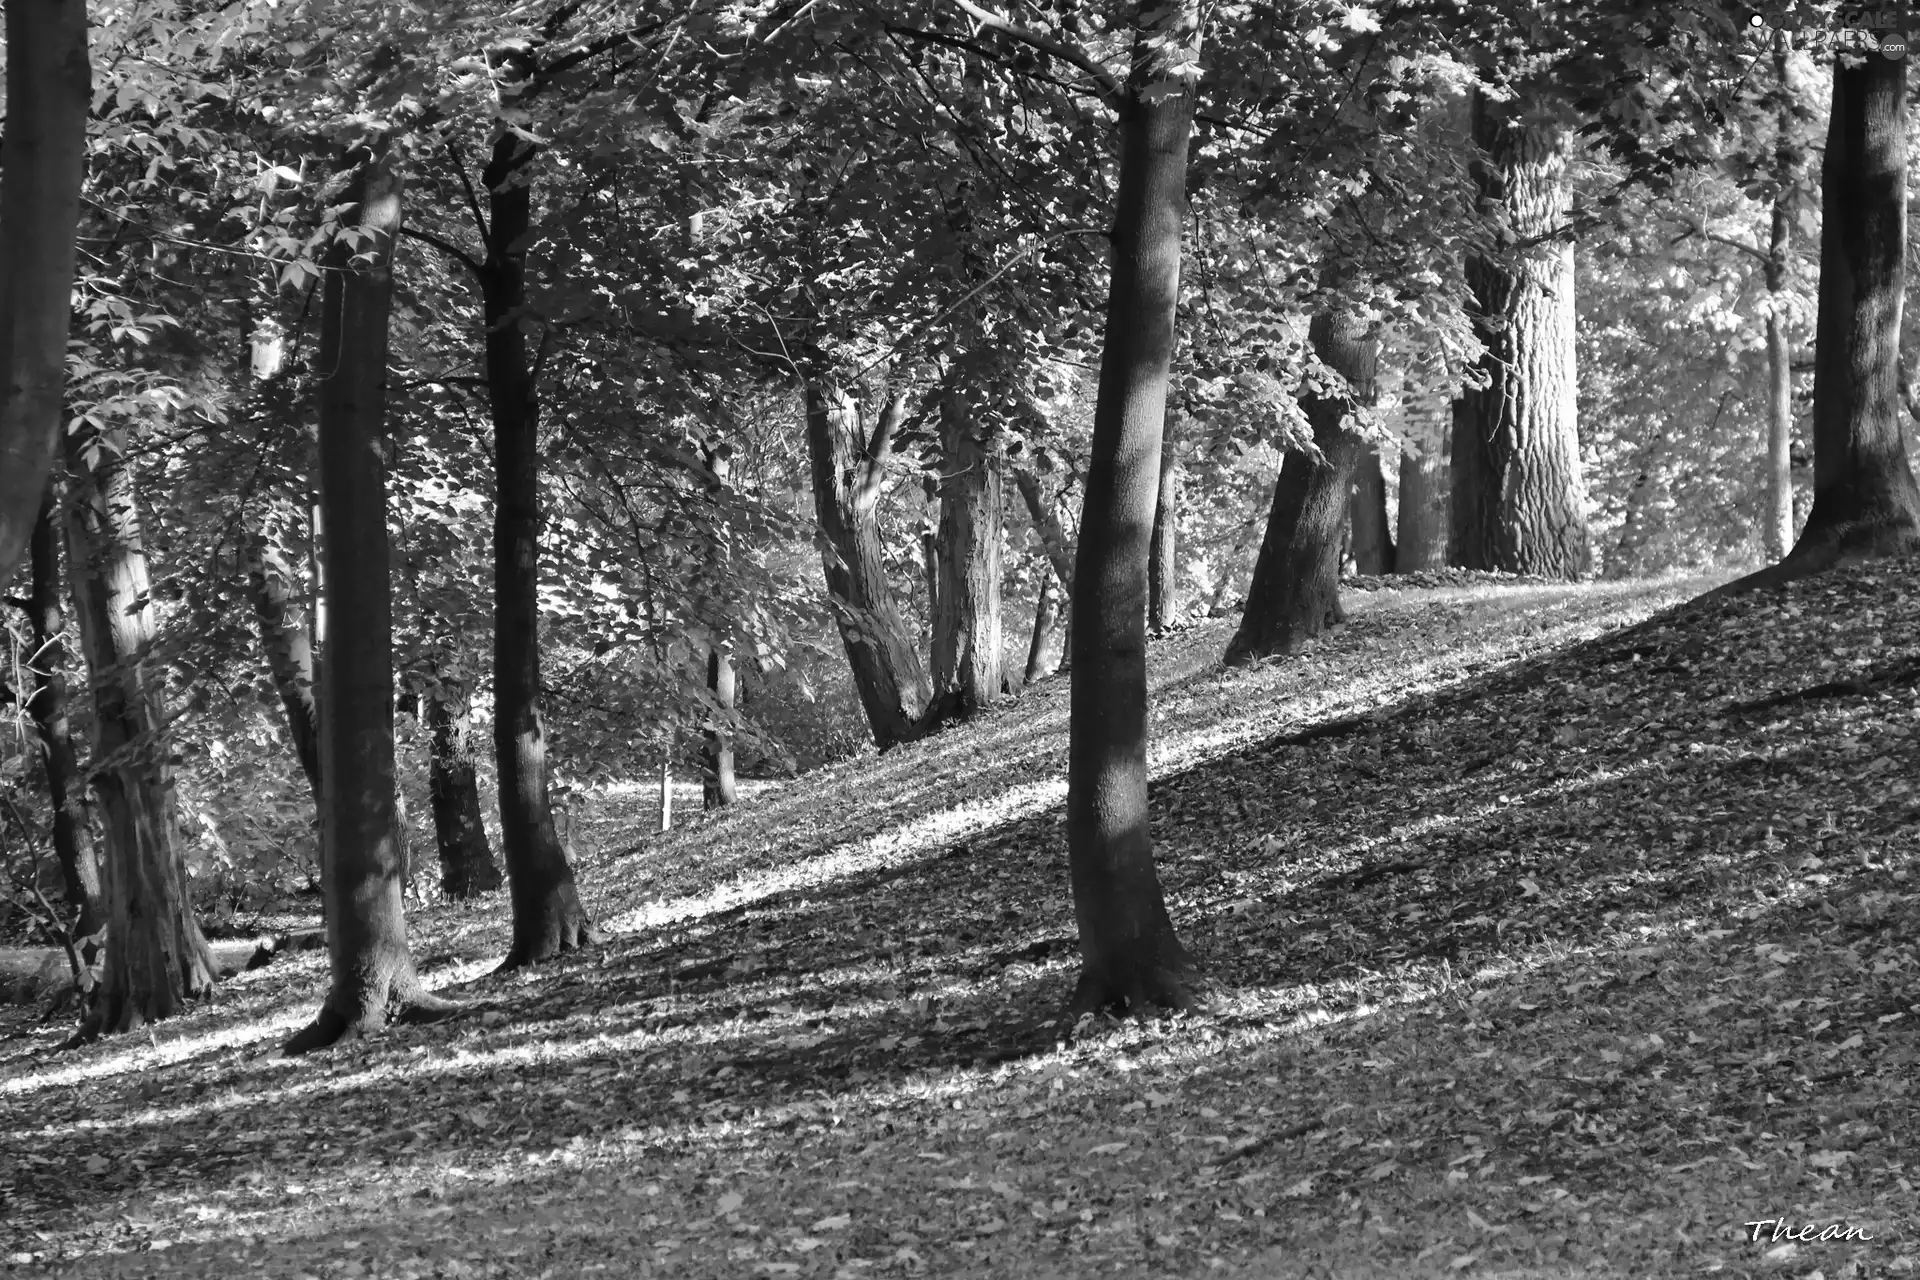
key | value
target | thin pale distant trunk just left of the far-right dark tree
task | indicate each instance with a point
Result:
(1777, 525)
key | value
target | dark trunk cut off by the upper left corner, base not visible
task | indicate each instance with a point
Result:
(49, 93)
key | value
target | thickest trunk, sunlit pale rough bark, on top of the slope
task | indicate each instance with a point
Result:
(1518, 496)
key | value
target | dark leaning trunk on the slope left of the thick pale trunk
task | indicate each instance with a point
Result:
(1297, 581)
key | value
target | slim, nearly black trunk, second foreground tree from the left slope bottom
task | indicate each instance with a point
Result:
(546, 907)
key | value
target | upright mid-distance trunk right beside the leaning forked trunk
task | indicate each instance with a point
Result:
(967, 615)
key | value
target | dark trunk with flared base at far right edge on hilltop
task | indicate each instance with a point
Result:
(1865, 502)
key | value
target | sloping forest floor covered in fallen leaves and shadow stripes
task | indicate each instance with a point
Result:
(1560, 960)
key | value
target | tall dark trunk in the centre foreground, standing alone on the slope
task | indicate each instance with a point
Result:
(1130, 955)
